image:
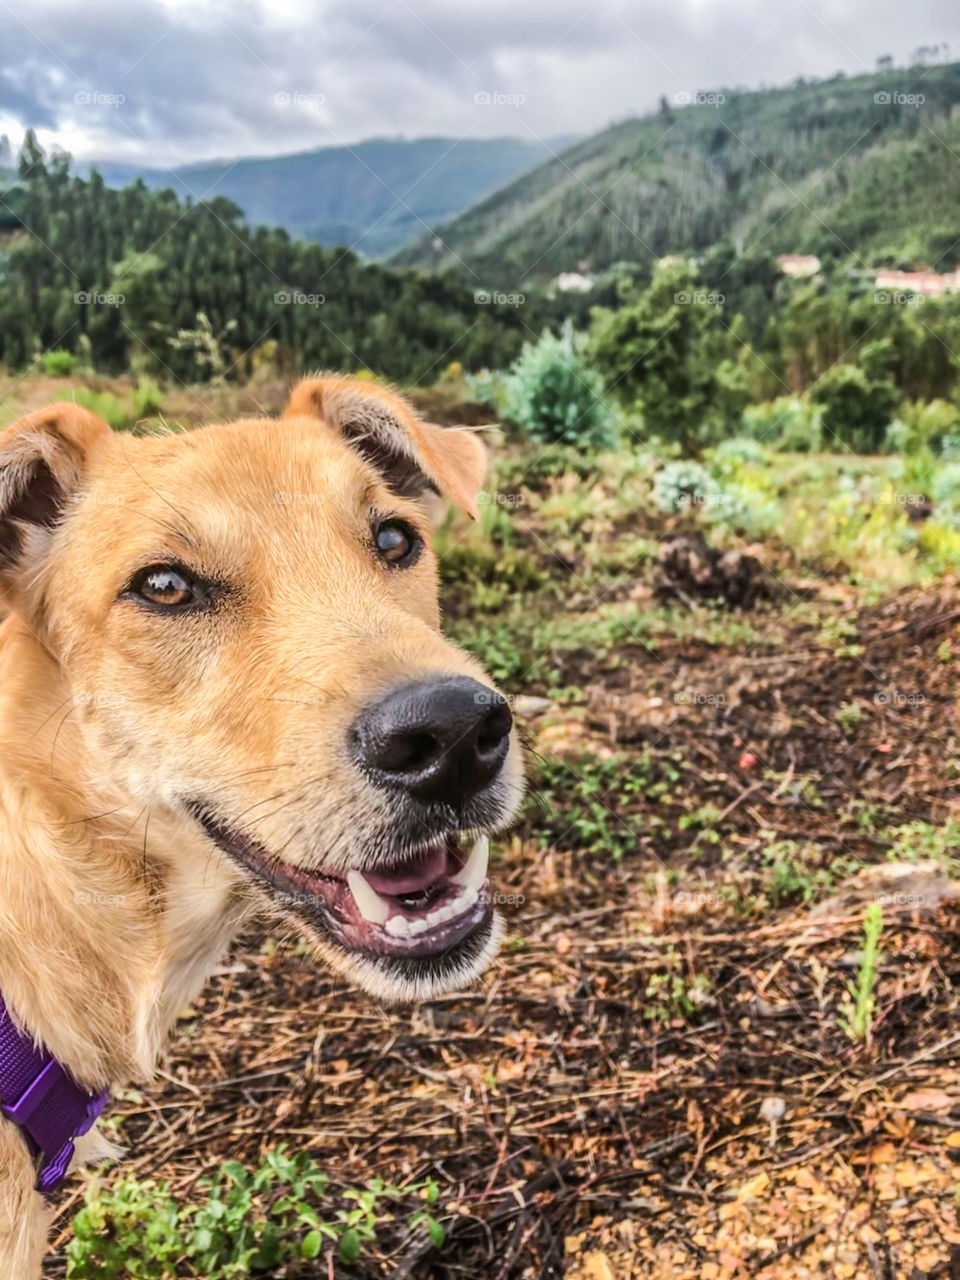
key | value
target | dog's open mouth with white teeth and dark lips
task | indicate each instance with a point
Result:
(414, 911)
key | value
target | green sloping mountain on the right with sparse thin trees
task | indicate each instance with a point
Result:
(867, 166)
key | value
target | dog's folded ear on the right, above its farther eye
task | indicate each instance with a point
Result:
(417, 459)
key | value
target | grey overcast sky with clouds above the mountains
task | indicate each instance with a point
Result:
(162, 83)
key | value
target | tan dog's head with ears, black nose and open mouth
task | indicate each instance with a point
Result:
(246, 618)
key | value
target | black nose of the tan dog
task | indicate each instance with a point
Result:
(440, 739)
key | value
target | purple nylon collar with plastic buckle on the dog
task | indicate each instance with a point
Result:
(48, 1105)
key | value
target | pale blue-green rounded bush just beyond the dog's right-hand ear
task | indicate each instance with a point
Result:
(554, 396)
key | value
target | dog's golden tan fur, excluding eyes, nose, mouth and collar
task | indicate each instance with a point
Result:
(116, 904)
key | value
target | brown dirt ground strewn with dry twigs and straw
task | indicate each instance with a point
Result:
(659, 1078)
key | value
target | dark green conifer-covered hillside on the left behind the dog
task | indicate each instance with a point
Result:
(136, 278)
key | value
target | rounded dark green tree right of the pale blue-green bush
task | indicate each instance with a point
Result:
(668, 354)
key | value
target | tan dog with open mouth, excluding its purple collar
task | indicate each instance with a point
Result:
(223, 684)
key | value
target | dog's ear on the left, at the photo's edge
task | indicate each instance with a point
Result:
(43, 463)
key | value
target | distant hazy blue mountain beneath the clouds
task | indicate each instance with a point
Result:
(374, 196)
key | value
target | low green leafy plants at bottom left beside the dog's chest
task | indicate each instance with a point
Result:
(240, 1223)
